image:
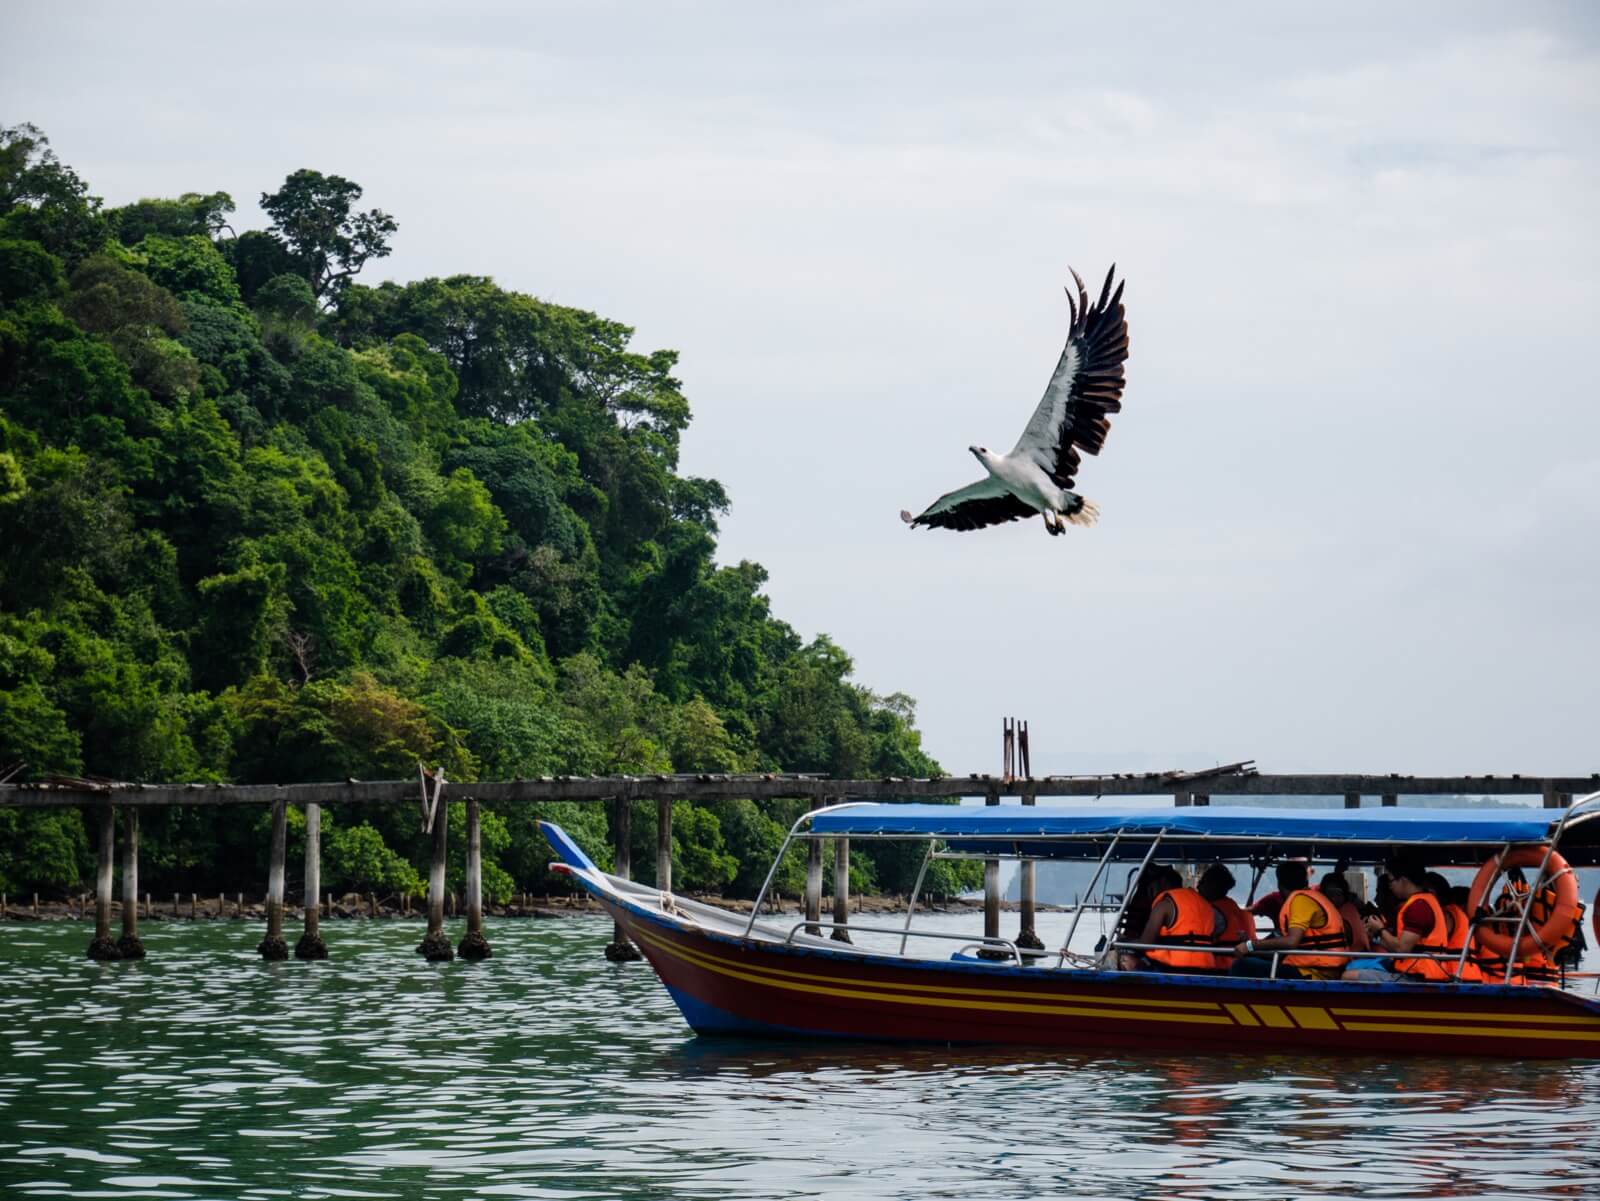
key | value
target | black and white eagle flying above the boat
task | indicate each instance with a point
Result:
(1039, 473)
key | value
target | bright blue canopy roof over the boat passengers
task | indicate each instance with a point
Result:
(1210, 832)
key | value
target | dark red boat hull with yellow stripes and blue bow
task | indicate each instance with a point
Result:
(726, 986)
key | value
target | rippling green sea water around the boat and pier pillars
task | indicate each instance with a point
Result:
(551, 1074)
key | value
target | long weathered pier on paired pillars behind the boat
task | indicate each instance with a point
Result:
(106, 799)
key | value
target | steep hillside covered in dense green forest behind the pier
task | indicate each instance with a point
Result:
(265, 524)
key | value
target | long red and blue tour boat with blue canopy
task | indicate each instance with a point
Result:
(746, 976)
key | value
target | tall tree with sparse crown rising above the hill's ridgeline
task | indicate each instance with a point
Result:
(313, 213)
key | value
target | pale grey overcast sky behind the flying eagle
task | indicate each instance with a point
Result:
(1351, 513)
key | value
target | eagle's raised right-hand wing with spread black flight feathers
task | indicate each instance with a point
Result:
(1086, 386)
